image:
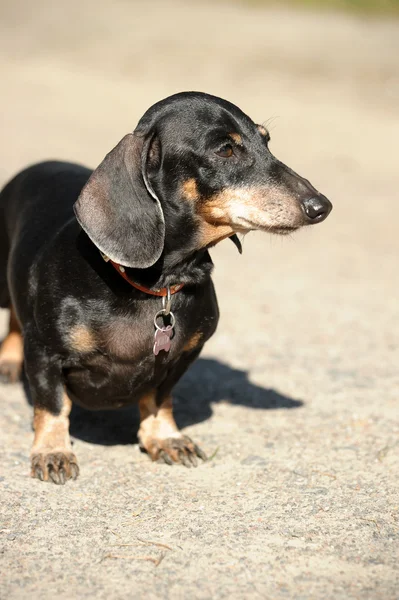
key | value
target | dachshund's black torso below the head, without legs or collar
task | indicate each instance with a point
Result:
(96, 326)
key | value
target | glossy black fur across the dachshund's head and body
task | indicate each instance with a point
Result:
(132, 208)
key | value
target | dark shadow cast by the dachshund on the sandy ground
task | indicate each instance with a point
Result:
(206, 382)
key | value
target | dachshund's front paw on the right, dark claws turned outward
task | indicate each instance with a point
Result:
(176, 450)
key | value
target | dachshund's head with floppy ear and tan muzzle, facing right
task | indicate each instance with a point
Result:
(195, 171)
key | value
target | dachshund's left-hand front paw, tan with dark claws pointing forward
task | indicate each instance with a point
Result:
(56, 467)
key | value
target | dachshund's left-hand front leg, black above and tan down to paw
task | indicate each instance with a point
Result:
(52, 458)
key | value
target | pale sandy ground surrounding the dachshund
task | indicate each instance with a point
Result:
(296, 395)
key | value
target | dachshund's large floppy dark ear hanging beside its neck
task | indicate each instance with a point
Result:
(118, 209)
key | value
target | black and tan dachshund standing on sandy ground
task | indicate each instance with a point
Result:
(88, 259)
